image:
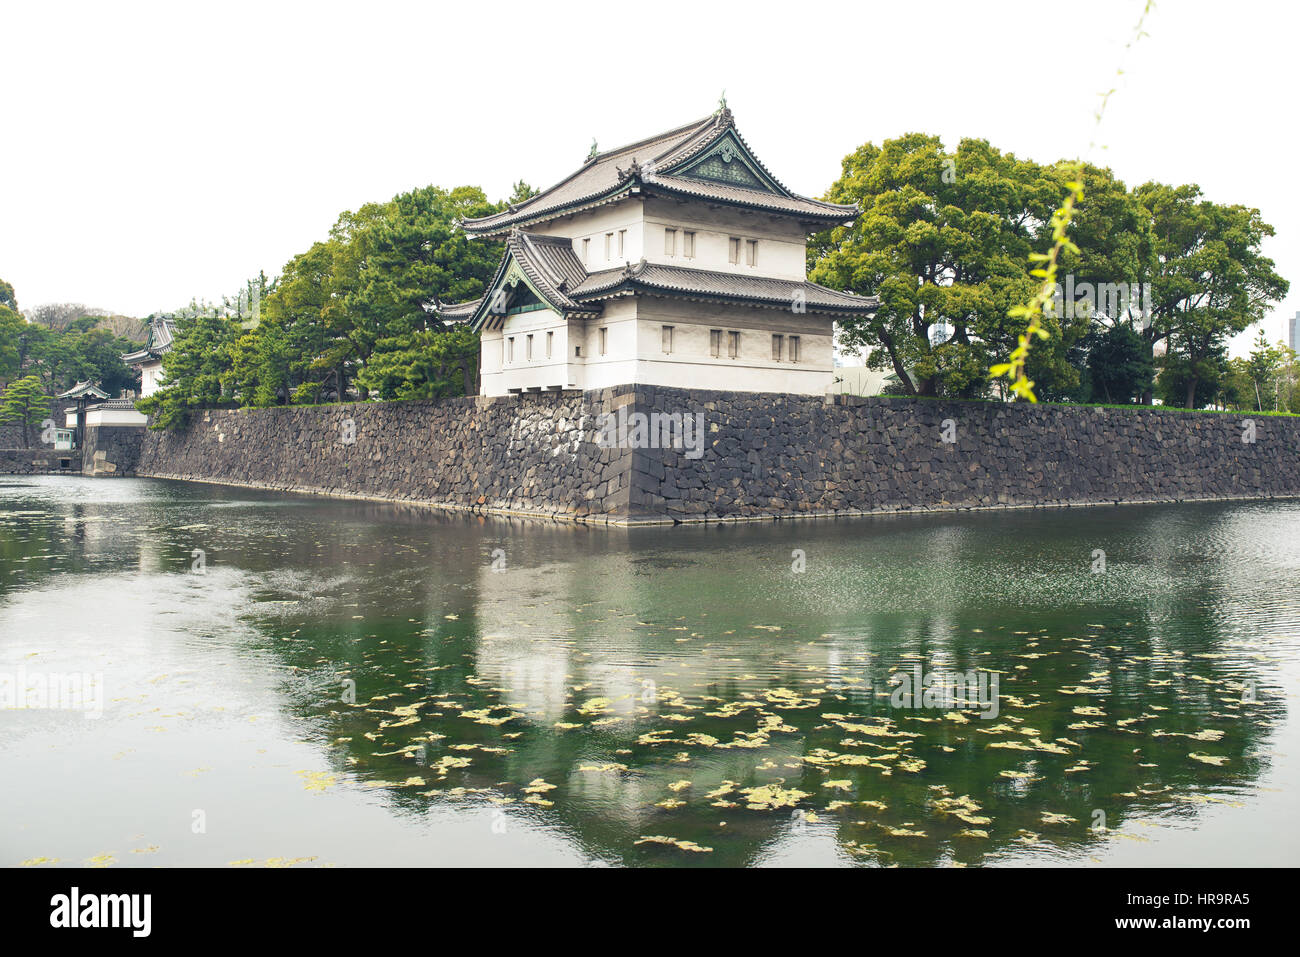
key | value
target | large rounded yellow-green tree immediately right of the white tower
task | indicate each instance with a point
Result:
(944, 241)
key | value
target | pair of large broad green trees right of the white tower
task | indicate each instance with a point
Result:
(944, 241)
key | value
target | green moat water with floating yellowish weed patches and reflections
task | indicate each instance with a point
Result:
(301, 682)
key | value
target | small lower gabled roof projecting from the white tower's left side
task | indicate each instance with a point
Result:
(536, 272)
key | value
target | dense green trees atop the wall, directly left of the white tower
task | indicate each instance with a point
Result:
(352, 315)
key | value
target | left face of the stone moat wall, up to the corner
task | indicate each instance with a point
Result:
(514, 454)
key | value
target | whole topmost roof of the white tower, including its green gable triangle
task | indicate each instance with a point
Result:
(707, 159)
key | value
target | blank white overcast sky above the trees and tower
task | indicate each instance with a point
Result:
(161, 153)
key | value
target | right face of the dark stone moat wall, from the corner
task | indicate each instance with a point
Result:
(788, 456)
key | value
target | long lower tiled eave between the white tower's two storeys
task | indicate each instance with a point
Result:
(707, 284)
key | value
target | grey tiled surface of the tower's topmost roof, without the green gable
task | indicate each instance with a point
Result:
(613, 175)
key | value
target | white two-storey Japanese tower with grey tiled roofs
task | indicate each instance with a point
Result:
(678, 261)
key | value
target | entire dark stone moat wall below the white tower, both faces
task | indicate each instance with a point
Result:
(762, 456)
